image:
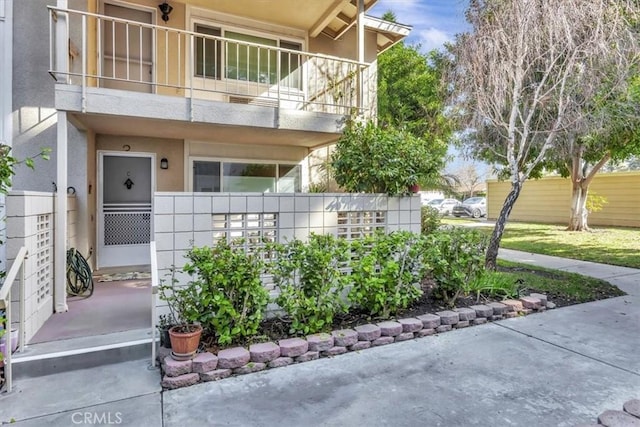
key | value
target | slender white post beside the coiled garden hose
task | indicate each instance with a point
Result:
(60, 259)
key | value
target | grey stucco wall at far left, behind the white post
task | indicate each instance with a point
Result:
(33, 115)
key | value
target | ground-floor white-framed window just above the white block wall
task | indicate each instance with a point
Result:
(245, 176)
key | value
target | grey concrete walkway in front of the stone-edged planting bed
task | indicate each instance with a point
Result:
(562, 367)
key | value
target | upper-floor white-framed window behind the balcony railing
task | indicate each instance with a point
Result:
(253, 58)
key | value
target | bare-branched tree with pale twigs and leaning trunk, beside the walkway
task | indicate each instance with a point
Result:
(524, 73)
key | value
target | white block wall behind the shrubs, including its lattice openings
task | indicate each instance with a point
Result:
(184, 220)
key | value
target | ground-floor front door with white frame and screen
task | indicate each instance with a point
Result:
(126, 184)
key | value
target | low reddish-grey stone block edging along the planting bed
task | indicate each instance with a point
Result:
(238, 360)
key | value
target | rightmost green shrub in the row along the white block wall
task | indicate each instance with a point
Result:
(458, 260)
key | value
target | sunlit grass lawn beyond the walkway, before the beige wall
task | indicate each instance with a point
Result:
(607, 245)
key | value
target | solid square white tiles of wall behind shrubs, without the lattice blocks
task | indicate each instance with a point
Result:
(297, 216)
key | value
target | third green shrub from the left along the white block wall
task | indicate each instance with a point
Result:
(386, 271)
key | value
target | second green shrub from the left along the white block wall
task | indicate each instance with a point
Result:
(310, 281)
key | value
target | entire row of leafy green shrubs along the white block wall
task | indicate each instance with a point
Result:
(323, 277)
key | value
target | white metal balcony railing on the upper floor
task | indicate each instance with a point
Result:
(104, 51)
